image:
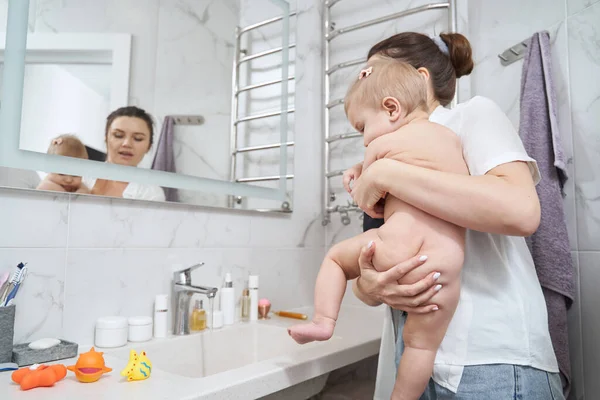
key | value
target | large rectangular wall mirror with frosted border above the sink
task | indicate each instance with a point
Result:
(180, 101)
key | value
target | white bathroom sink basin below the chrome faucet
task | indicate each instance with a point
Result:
(211, 352)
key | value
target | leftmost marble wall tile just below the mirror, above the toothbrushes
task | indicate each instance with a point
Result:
(33, 219)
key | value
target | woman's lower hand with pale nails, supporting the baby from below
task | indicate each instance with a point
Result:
(373, 287)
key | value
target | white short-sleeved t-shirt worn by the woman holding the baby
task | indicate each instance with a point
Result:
(501, 316)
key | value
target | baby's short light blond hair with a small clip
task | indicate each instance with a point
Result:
(387, 77)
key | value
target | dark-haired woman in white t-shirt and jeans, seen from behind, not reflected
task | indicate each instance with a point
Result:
(497, 345)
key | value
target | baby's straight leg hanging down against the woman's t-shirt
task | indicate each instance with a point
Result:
(422, 335)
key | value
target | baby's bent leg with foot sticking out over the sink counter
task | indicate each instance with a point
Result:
(340, 265)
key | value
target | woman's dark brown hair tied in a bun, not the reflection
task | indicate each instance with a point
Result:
(421, 51)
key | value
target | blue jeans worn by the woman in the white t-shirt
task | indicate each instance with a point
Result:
(492, 381)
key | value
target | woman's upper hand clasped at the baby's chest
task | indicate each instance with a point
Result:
(367, 191)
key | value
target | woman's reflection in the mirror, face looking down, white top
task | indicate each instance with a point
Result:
(129, 135)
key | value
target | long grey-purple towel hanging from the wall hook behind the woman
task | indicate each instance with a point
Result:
(550, 244)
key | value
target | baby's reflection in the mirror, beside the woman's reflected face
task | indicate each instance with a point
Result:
(68, 146)
